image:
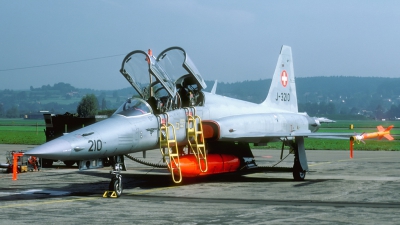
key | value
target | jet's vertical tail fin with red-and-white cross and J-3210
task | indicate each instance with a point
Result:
(282, 93)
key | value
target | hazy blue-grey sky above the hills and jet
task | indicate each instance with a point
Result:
(84, 42)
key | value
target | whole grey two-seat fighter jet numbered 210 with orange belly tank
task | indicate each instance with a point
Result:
(198, 133)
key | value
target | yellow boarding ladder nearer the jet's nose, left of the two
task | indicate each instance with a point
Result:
(169, 147)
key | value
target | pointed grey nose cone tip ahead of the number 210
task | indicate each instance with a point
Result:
(57, 149)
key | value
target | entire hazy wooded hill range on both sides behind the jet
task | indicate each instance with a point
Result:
(368, 96)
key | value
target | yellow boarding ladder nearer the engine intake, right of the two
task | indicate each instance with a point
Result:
(196, 138)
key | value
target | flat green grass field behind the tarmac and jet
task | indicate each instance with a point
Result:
(19, 131)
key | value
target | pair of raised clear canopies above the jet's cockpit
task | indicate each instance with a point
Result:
(162, 76)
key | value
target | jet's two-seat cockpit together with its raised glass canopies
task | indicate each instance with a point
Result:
(165, 83)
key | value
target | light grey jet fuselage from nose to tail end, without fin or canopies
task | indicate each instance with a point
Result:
(122, 134)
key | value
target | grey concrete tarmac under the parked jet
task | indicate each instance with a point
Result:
(337, 190)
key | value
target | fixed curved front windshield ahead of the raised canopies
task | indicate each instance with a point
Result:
(134, 107)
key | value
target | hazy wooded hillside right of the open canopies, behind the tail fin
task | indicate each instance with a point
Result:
(369, 96)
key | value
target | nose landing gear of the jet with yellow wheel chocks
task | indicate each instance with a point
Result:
(115, 186)
